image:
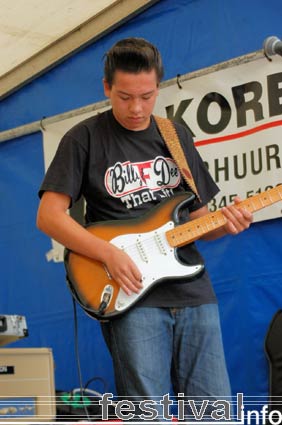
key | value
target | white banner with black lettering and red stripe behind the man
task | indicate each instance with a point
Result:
(235, 115)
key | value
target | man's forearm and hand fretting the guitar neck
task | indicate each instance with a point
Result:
(238, 220)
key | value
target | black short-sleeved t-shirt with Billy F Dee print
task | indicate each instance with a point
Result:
(123, 174)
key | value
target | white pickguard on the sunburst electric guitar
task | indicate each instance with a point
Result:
(155, 259)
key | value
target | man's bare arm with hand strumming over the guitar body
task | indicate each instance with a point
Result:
(53, 219)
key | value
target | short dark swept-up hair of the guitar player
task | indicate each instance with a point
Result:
(132, 55)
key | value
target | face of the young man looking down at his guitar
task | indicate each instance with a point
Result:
(133, 98)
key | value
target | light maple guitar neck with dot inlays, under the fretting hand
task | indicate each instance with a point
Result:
(195, 229)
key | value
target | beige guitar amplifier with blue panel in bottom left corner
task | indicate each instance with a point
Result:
(27, 390)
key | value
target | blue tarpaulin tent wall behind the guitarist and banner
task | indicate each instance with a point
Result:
(246, 270)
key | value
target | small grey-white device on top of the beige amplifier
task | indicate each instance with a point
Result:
(12, 327)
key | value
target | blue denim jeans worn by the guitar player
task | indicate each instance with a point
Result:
(154, 349)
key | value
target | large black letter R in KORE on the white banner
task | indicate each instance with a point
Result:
(242, 105)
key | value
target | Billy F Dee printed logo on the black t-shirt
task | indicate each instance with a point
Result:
(123, 180)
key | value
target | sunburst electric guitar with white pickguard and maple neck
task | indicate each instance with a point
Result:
(151, 241)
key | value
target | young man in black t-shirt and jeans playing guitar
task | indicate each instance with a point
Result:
(119, 162)
